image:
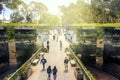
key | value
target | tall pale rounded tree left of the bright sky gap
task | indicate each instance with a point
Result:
(38, 11)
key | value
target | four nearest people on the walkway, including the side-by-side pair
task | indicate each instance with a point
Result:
(54, 70)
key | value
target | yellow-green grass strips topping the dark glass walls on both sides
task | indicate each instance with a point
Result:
(75, 25)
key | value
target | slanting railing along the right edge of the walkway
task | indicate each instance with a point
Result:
(87, 74)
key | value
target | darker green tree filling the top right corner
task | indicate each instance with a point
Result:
(106, 11)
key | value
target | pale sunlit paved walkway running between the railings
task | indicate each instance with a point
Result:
(54, 58)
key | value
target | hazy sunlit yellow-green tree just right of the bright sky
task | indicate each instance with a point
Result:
(76, 13)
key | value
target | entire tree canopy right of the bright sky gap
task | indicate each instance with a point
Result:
(97, 11)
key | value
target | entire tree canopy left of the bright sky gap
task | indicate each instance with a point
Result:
(34, 12)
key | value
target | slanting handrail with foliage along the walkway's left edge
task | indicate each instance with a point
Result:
(18, 71)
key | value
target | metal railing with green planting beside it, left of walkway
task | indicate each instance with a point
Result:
(27, 64)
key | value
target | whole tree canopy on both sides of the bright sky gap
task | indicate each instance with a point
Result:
(97, 11)
